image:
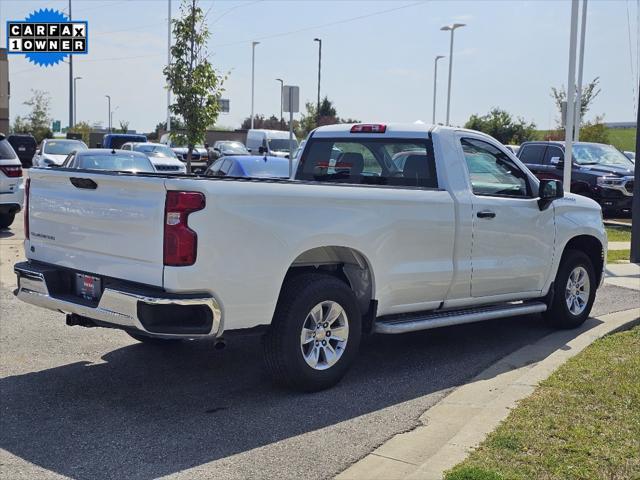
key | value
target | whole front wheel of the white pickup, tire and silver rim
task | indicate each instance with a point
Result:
(574, 291)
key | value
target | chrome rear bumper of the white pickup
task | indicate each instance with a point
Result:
(119, 306)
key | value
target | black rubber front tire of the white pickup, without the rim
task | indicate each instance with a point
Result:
(558, 314)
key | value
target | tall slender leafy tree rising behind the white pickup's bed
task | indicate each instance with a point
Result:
(196, 85)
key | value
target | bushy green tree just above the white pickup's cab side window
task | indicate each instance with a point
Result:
(501, 126)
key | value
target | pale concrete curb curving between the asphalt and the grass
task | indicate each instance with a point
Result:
(459, 422)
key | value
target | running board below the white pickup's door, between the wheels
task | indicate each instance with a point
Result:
(405, 323)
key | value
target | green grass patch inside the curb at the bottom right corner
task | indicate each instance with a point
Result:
(583, 422)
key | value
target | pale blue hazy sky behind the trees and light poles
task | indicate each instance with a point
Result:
(377, 68)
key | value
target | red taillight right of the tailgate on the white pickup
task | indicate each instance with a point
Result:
(180, 242)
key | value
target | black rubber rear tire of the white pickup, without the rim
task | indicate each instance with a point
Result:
(282, 348)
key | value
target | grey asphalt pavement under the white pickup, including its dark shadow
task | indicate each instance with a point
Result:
(93, 403)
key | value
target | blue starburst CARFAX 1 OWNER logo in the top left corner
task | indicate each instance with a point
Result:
(46, 37)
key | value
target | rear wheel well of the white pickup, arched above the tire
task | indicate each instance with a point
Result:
(345, 263)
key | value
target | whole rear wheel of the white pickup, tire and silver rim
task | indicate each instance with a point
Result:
(315, 333)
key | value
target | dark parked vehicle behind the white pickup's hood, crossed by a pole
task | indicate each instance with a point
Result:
(598, 171)
